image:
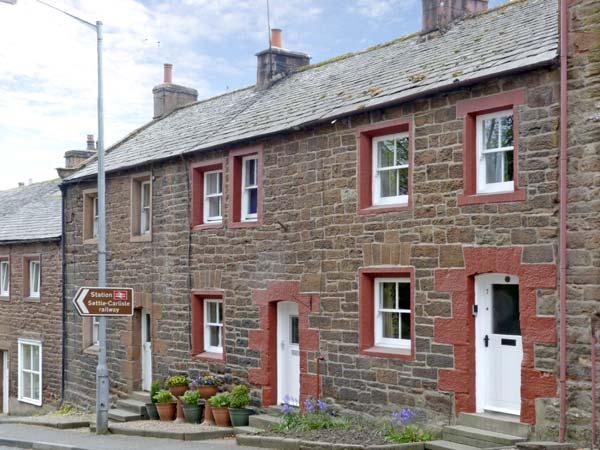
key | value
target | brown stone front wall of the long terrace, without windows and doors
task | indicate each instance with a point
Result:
(311, 234)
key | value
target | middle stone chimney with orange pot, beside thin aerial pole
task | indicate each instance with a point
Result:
(277, 62)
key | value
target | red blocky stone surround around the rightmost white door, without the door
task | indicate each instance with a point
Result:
(460, 329)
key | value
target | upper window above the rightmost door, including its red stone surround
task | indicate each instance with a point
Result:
(490, 149)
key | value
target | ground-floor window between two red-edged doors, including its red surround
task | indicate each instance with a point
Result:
(386, 311)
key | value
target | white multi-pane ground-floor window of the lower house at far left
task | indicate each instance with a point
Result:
(30, 372)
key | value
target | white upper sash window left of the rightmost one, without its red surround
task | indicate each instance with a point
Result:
(390, 169)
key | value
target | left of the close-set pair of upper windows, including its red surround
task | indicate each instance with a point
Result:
(207, 194)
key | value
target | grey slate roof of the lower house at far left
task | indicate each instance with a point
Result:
(31, 213)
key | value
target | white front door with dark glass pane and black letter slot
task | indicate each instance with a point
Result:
(499, 346)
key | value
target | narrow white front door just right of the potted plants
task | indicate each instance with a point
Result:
(288, 353)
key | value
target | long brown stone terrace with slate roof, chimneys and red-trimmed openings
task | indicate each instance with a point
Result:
(390, 217)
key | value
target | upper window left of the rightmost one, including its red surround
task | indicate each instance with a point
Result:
(385, 166)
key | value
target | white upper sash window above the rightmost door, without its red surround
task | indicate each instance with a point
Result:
(495, 152)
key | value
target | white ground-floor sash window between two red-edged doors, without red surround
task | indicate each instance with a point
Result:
(392, 312)
